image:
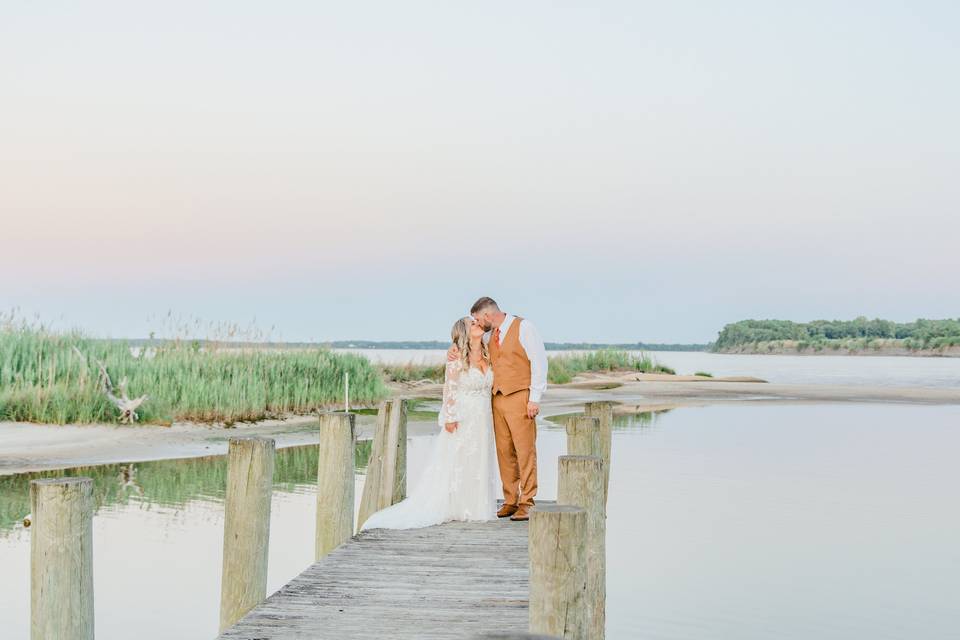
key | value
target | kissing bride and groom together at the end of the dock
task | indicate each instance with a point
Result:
(495, 376)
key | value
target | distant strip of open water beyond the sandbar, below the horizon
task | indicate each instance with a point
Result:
(884, 371)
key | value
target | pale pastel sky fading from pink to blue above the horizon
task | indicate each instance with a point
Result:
(615, 171)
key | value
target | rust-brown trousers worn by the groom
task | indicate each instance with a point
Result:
(516, 438)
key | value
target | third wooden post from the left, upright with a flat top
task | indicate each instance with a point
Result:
(335, 481)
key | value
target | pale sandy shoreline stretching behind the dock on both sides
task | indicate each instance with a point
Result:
(31, 447)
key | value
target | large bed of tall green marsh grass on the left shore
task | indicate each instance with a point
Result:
(51, 377)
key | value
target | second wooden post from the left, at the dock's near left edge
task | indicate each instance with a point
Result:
(246, 527)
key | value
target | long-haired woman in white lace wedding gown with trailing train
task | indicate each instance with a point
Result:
(460, 479)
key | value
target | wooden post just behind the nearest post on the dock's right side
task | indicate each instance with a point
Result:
(580, 483)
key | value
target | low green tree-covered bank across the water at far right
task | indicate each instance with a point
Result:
(919, 334)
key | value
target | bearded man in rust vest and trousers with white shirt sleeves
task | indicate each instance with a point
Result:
(519, 363)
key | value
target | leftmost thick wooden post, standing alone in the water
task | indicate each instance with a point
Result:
(61, 559)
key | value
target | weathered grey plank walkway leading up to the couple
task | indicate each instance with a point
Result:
(456, 580)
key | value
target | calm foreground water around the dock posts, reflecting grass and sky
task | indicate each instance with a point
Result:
(740, 522)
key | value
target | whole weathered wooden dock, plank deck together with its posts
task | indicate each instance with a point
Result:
(496, 579)
